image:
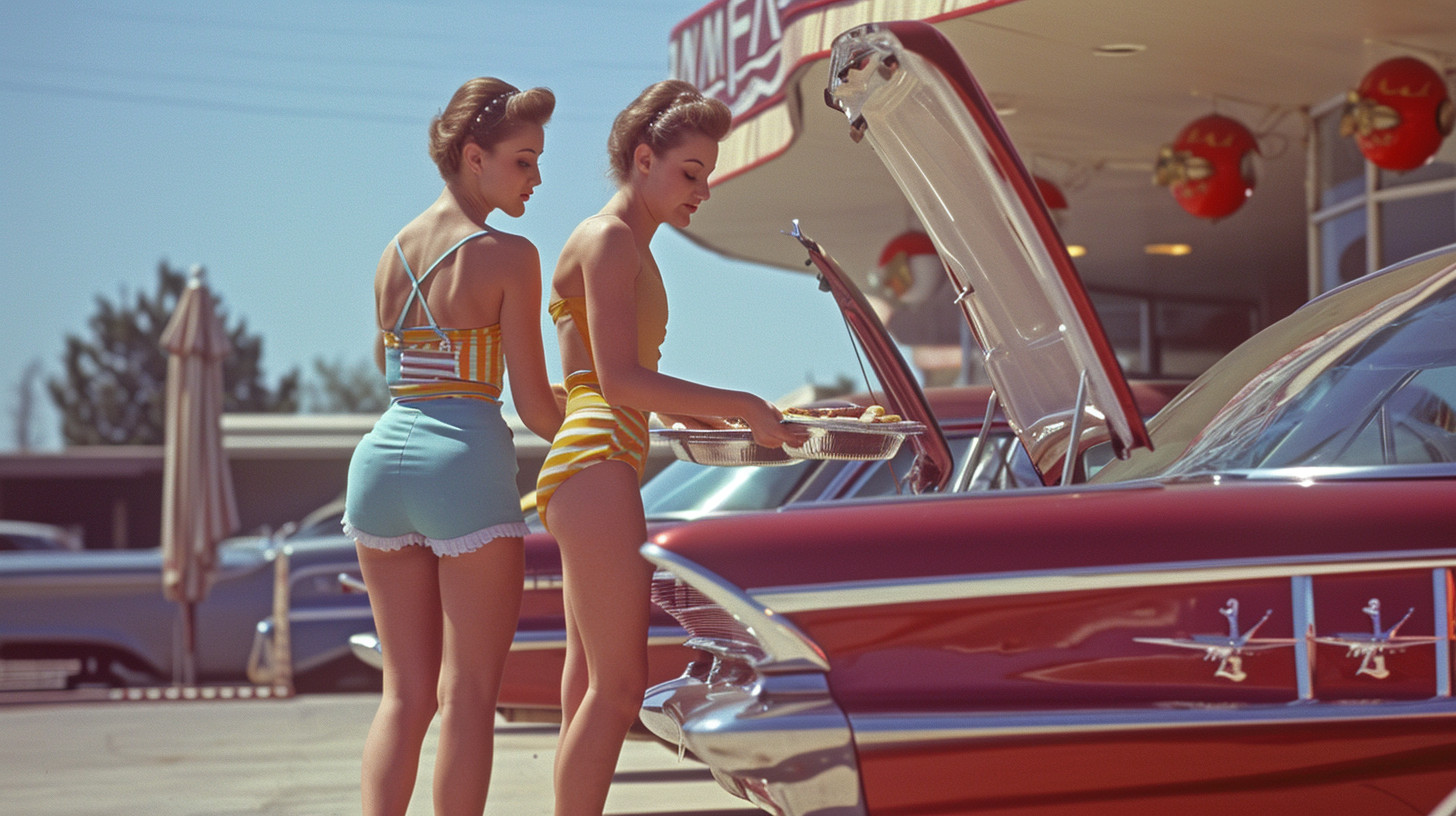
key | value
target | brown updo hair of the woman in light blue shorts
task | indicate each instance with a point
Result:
(484, 111)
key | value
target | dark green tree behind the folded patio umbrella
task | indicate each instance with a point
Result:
(114, 382)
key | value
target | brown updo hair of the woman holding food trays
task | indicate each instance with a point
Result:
(662, 117)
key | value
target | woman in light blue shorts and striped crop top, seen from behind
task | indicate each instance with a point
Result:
(432, 499)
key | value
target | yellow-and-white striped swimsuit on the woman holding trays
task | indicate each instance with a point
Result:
(596, 431)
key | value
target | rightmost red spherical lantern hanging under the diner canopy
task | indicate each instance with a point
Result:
(1400, 114)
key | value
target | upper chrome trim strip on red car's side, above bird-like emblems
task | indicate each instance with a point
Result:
(806, 598)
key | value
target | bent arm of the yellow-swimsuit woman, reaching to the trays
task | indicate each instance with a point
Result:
(609, 267)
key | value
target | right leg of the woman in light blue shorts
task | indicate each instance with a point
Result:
(481, 598)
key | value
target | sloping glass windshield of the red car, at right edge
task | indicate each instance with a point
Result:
(1380, 393)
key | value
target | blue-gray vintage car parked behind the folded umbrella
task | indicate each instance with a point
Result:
(98, 619)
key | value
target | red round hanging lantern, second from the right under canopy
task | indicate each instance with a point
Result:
(1209, 167)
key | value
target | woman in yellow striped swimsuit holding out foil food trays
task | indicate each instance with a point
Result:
(663, 148)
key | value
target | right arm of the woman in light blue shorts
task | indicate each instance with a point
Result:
(532, 393)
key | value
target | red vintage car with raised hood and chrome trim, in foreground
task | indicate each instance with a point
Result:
(1249, 610)
